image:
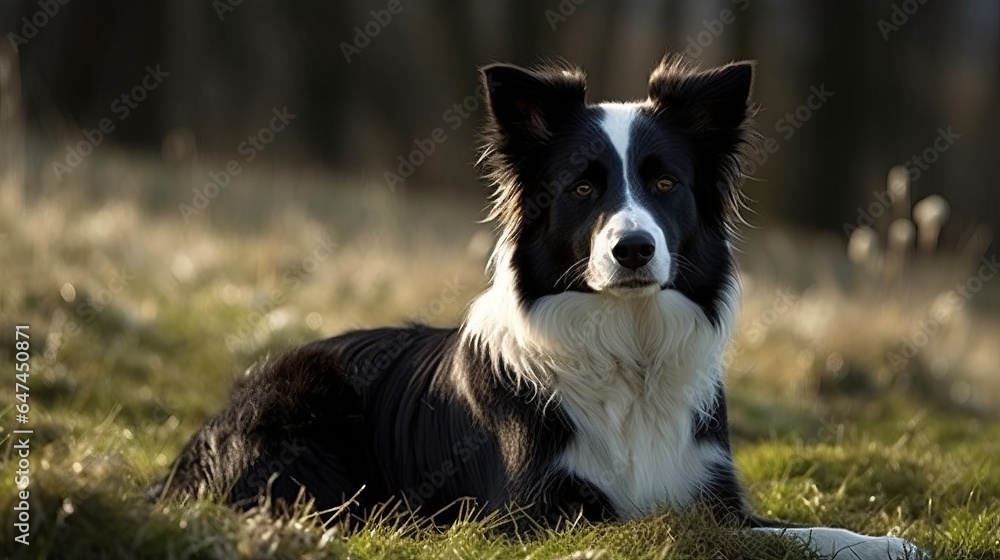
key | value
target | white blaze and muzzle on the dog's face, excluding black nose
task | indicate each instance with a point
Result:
(603, 270)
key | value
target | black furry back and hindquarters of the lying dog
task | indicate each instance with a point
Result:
(303, 420)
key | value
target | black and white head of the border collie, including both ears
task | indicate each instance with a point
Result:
(622, 198)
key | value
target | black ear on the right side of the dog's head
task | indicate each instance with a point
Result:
(716, 99)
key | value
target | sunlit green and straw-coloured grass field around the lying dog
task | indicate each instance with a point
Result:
(140, 321)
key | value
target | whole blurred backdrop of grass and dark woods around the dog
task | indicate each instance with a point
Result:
(188, 185)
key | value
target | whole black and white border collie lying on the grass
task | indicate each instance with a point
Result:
(587, 379)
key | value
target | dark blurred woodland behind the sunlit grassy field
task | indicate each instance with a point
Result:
(898, 71)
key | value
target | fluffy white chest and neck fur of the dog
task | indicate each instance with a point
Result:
(630, 373)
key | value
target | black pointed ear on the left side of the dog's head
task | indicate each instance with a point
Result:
(527, 107)
